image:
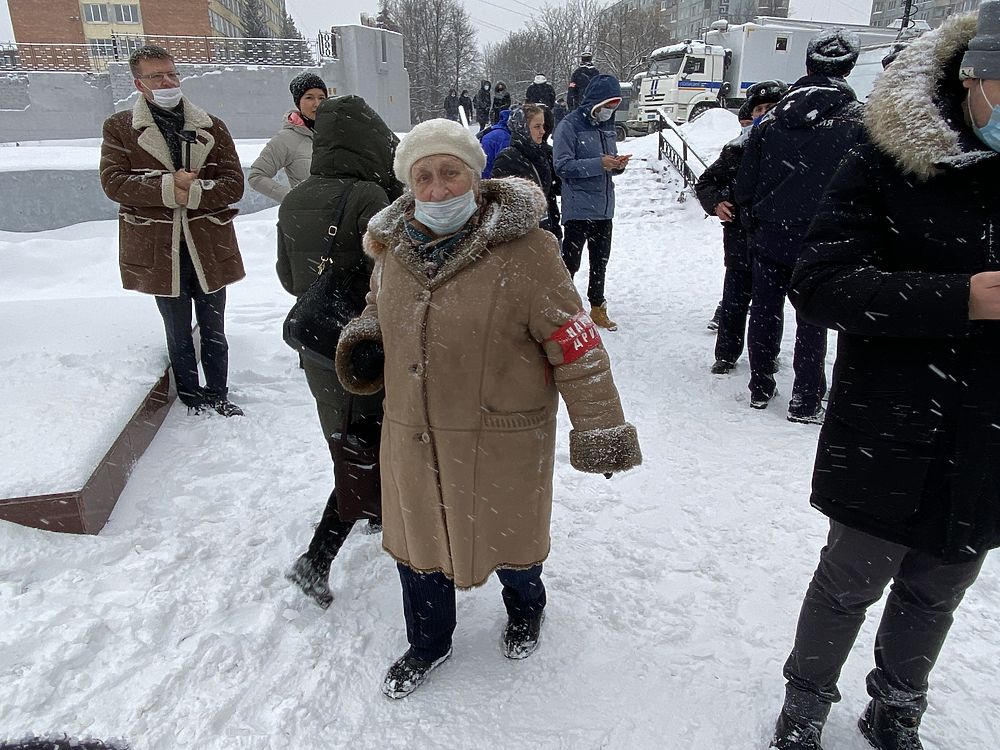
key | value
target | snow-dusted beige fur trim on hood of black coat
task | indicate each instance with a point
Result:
(914, 114)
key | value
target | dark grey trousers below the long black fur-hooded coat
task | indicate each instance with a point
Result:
(854, 569)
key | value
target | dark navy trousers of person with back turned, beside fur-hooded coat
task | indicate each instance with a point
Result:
(767, 315)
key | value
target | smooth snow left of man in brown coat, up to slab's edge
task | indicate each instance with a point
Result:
(79, 354)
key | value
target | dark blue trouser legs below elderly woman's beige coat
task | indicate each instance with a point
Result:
(429, 605)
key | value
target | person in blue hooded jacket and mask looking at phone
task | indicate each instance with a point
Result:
(586, 159)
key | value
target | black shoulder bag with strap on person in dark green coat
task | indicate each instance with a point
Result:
(313, 325)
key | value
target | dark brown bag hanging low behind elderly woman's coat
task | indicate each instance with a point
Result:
(355, 451)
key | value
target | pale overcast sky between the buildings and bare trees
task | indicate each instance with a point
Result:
(495, 18)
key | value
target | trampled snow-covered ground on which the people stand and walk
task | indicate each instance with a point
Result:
(673, 590)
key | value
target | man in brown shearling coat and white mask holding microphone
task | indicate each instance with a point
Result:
(175, 171)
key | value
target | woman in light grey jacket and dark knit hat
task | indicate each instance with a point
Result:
(291, 147)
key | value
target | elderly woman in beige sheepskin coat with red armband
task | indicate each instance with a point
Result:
(482, 329)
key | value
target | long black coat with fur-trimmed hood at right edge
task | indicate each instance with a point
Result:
(910, 449)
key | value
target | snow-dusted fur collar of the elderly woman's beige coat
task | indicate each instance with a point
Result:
(509, 208)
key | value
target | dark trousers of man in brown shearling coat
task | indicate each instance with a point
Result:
(210, 312)
